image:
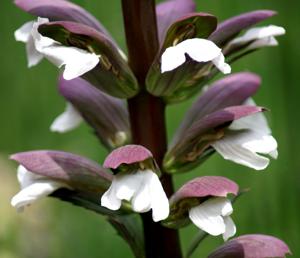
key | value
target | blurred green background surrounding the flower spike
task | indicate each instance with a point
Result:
(29, 102)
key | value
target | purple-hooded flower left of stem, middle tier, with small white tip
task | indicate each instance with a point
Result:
(96, 108)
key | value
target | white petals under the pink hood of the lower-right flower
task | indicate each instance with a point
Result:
(213, 217)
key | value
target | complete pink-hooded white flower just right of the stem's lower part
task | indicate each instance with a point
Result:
(203, 201)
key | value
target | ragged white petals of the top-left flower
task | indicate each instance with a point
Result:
(75, 60)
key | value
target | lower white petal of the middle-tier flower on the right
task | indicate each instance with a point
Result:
(236, 146)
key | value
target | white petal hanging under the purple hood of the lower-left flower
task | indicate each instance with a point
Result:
(33, 192)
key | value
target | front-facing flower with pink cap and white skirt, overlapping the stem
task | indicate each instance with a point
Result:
(136, 181)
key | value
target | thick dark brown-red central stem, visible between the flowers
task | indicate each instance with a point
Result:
(147, 116)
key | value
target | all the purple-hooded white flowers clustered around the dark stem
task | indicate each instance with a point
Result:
(97, 78)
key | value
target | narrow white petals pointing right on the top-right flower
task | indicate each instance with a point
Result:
(259, 37)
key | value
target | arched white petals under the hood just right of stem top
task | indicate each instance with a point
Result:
(200, 50)
